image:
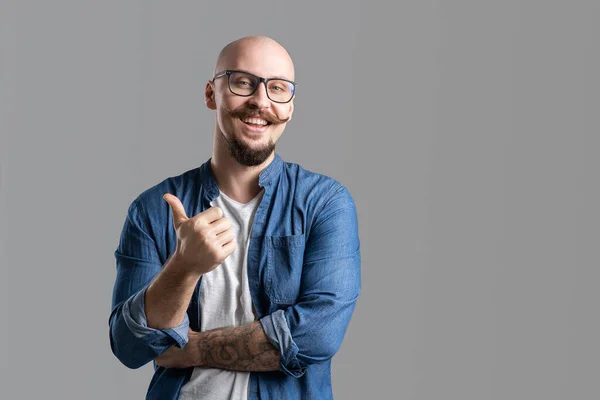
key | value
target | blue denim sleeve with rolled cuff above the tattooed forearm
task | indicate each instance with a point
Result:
(311, 331)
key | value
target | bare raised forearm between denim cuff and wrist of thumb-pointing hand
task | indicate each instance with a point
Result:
(168, 296)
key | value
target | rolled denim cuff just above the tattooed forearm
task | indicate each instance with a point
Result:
(277, 330)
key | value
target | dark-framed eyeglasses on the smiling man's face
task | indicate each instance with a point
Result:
(243, 83)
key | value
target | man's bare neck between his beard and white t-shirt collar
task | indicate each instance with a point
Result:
(237, 181)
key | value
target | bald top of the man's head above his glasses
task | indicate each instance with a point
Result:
(260, 55)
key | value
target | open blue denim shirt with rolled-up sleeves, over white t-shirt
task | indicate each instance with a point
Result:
(303, 271)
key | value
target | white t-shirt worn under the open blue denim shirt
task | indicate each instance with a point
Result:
(225, 301)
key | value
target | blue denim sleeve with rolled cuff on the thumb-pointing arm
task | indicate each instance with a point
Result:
(131, 340)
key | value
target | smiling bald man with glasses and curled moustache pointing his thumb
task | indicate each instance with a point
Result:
(238, 278)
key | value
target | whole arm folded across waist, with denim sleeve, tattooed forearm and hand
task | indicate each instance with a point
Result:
(308, 332)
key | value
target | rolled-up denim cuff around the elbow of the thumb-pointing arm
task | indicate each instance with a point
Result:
(134, 315)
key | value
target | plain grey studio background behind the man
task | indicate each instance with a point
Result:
(466, 131)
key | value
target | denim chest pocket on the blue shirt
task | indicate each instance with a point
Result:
(285, 256)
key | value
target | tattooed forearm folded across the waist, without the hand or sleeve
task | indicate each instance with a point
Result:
(242, 348)
